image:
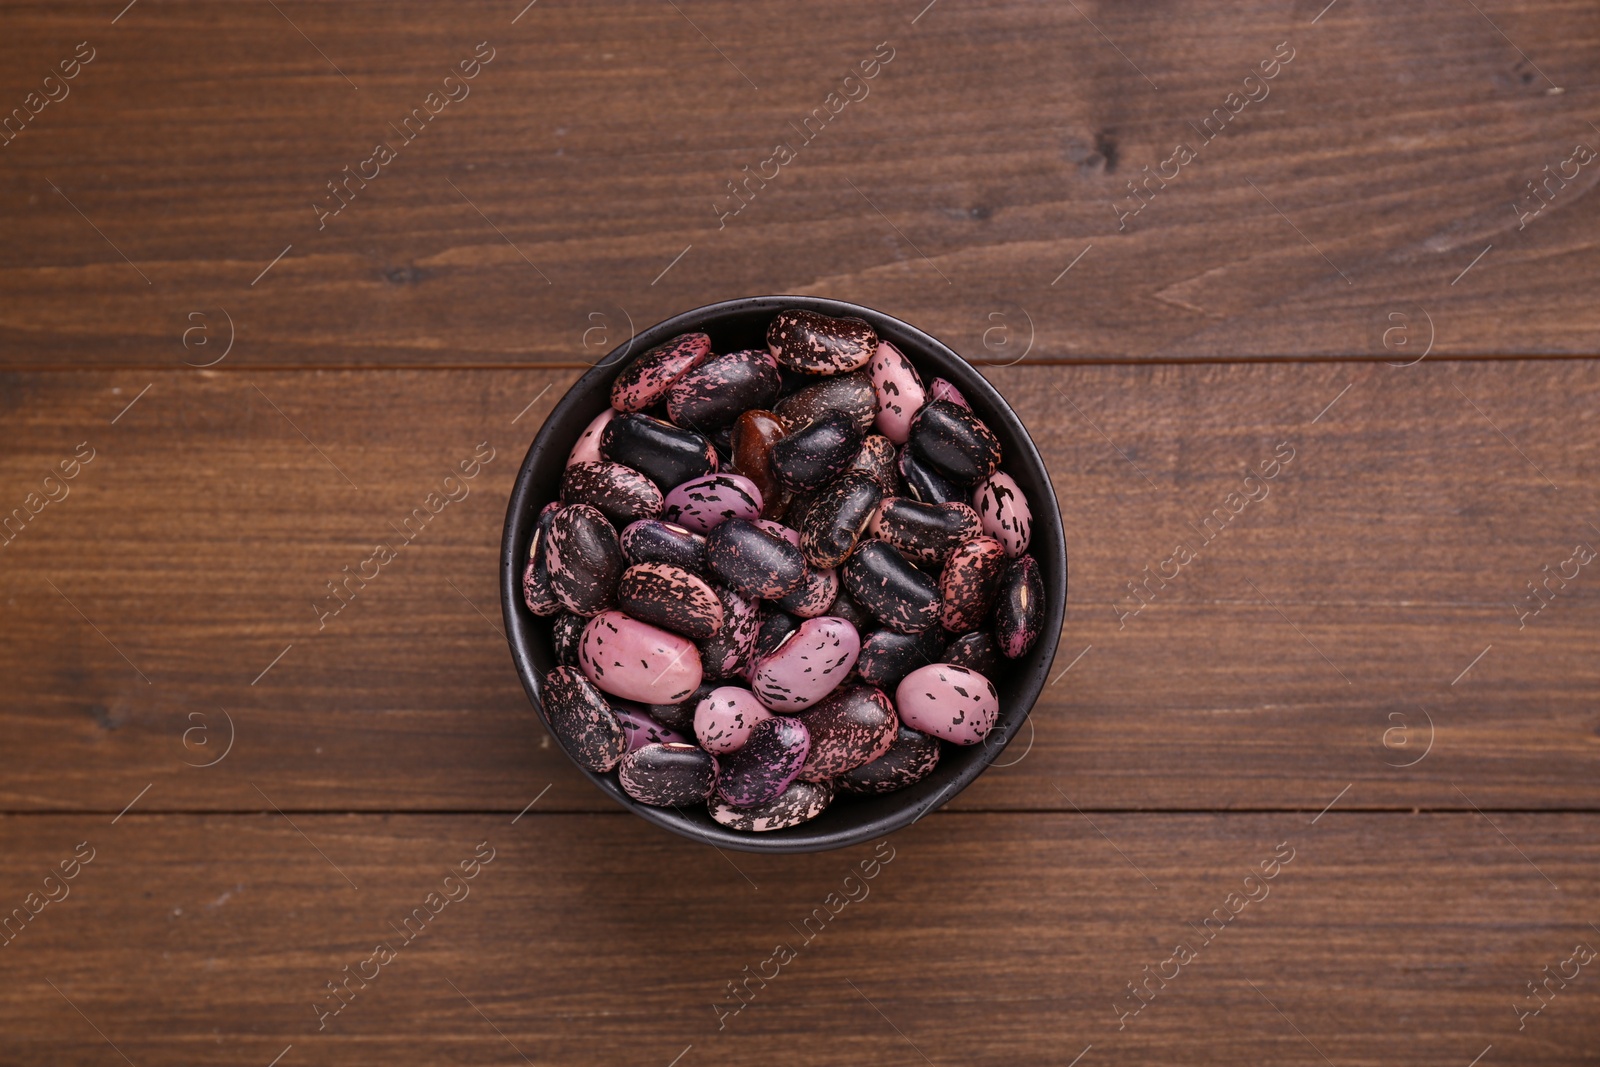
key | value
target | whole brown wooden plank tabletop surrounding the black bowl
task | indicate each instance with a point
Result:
(1174, 268)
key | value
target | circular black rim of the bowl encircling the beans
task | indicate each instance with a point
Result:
(521, 514)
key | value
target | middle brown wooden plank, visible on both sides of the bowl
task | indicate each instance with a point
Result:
(1305, 650)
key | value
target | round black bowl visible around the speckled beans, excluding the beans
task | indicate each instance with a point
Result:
(743, 326)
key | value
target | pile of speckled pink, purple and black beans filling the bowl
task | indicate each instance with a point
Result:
(753, 551)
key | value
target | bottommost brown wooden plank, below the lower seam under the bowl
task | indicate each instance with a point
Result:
(980, 940)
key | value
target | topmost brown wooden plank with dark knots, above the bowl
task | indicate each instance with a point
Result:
(542, 212)
